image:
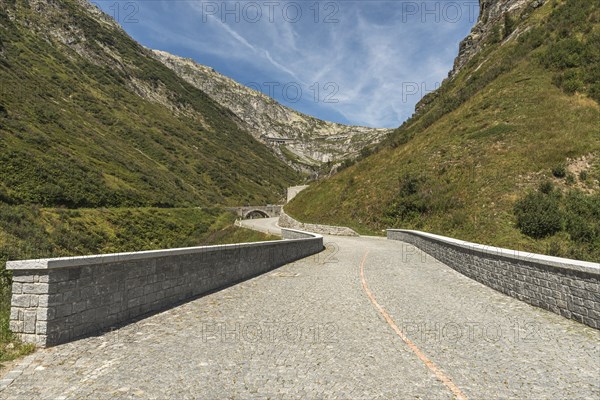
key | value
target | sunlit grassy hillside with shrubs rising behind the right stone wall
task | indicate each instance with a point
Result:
(507, 153)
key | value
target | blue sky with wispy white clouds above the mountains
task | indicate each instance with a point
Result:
(356, 62)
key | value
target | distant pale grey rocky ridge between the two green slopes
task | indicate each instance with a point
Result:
(304, 142)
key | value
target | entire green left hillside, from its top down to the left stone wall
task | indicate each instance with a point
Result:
(94, 131)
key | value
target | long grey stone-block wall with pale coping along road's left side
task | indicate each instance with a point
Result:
(57, 300)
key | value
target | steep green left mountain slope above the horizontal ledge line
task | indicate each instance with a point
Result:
(90, 118)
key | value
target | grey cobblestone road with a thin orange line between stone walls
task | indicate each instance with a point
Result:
(309, 330)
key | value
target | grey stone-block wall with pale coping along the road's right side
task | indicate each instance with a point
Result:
(569, 288)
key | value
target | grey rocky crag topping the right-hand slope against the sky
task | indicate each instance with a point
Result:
(490, 15)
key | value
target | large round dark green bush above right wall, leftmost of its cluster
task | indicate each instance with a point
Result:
(539, 215)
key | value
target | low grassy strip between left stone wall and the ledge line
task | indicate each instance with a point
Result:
(29, 232)
